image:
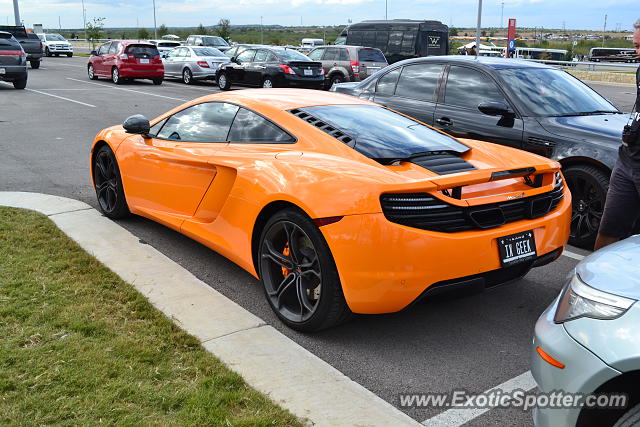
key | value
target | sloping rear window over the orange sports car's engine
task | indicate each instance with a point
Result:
(382, 134)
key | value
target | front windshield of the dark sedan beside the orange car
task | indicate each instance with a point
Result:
(553, 93)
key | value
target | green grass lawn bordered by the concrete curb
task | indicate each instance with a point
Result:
(81, 347)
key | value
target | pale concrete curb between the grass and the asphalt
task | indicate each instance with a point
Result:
(270, 362)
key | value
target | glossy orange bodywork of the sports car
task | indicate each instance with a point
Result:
(214, 192)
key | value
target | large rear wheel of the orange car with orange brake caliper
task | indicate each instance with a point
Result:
(307, 296)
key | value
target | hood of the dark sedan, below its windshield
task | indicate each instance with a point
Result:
(605, 128)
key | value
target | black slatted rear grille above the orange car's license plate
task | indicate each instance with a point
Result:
(421, 210)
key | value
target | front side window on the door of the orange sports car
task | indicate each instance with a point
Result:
(206, 122)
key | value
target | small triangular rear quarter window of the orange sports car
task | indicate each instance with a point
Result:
(250, 127)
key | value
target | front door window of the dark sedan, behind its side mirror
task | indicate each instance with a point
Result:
(468, 88)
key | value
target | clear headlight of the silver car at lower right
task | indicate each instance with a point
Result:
(580, 300)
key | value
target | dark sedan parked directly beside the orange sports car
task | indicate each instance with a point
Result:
(522, 104)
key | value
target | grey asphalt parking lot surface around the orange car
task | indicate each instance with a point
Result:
(471, 342)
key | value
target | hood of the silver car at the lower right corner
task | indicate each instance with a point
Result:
(614, 269)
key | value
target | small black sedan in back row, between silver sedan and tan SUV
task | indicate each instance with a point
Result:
(270, 67)
